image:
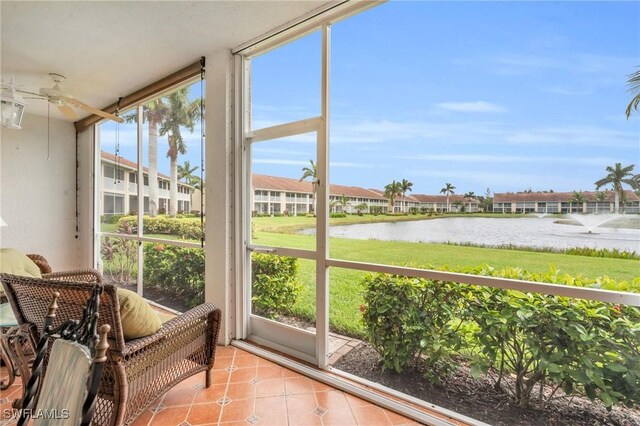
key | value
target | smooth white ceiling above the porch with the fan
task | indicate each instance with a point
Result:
(108, 49)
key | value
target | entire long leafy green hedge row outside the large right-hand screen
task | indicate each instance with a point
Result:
(540, 343)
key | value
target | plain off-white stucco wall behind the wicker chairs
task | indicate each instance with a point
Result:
(37, 190)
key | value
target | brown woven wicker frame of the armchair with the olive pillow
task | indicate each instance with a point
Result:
(138, 371)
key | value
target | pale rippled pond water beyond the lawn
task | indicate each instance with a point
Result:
(526, 231)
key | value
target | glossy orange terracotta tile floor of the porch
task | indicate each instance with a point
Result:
(248, 390)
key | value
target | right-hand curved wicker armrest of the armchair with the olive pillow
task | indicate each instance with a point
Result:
(205, 313)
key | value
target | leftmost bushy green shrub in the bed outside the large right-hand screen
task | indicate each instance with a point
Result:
(410, 319)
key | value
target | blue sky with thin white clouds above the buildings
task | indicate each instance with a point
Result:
(499, 95)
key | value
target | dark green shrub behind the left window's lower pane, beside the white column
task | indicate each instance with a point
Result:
(177, 271)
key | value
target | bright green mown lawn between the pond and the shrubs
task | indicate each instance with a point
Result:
(344, 289)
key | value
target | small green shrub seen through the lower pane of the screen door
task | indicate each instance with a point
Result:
(274, 283)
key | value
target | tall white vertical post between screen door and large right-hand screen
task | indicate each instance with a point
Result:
(322, 213)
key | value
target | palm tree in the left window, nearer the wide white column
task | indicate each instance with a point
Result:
(182, 113)
